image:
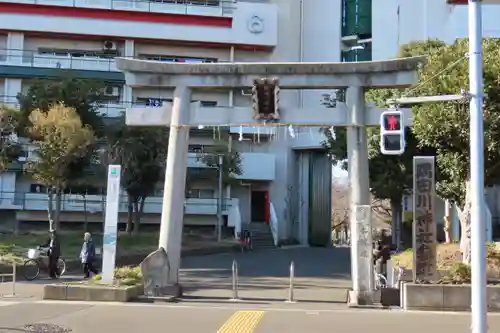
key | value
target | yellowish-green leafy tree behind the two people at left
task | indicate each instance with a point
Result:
(62, 141)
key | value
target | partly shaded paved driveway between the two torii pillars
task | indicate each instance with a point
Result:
(321, 275)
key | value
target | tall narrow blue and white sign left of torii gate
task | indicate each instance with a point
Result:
(111, 224)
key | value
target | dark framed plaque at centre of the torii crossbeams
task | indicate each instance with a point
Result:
(265, 99)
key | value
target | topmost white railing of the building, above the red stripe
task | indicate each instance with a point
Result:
(192, 7)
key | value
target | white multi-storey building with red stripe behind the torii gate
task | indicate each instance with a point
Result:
(42, 39)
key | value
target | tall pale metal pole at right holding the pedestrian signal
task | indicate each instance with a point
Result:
(478, 229)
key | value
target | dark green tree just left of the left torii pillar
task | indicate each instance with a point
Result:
(141, 151)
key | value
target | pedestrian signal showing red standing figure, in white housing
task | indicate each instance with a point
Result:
(392, 133)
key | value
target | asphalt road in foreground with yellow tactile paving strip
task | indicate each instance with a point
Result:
(228, 318)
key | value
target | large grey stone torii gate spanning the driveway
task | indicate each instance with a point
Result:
(354, 114)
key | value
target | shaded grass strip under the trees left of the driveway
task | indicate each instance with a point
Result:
(14, 248)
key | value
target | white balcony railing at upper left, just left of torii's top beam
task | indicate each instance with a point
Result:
(24, 58)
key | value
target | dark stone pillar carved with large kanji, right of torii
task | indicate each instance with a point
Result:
(424, 219)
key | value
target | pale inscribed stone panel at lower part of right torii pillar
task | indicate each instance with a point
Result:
(363, 246)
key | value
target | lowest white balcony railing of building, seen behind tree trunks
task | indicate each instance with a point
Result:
(95, 204)
